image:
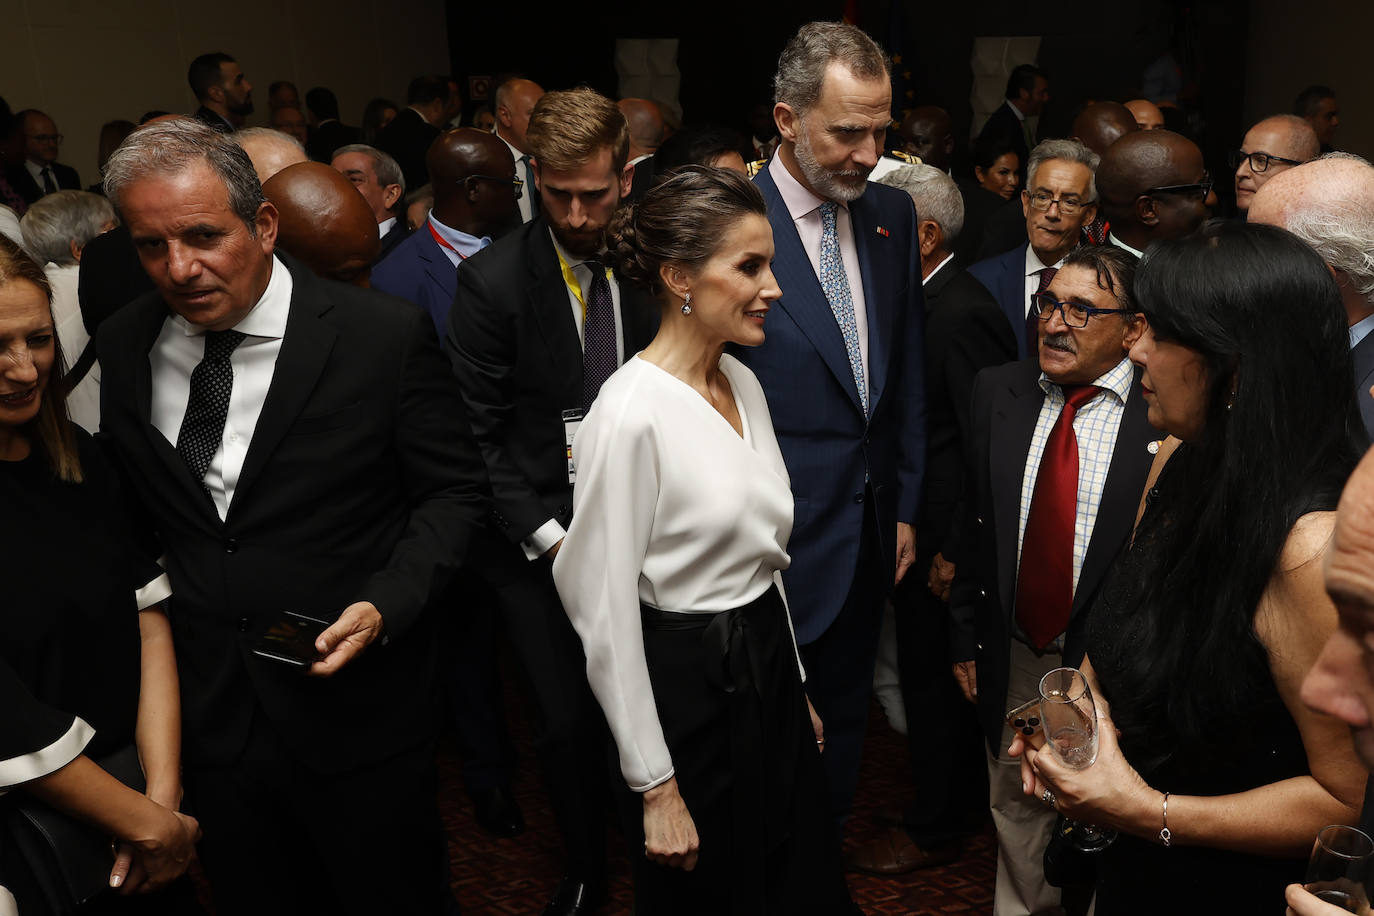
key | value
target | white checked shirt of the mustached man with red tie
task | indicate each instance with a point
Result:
(1096, 426)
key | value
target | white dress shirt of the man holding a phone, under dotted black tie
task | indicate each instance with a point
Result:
(179, 350)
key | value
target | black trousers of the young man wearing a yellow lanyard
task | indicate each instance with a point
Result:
(571, 733)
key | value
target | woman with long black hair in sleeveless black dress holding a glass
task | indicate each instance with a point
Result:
(1199, 646)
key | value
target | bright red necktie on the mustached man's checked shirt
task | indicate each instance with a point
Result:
(1045, 584)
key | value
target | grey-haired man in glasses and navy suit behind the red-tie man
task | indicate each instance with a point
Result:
(1060, 198)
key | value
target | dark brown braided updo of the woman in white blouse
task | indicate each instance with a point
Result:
(681, 220)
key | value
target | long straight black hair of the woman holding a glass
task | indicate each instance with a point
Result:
(1280, 439)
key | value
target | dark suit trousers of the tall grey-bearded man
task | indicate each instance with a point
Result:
(840, 669)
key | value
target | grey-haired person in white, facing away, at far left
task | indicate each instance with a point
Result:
(56, 230)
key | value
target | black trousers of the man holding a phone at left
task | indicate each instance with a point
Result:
(281, 838)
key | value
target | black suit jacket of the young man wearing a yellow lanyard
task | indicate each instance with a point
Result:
(516, 350)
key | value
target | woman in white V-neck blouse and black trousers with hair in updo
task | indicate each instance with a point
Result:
(671, 576)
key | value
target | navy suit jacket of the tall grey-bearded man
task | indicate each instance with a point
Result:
(826, 442)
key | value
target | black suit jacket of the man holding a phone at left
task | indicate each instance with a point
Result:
(362, 483)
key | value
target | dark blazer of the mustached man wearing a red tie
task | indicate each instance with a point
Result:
(1006, 404)
